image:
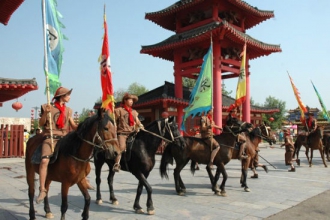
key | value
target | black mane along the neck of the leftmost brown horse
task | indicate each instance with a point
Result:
(70, 143)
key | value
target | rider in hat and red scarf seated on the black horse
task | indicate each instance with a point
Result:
(127, 122)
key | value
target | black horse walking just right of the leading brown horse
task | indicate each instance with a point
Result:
(141, 160)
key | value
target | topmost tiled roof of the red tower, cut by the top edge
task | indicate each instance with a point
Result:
(166, 17)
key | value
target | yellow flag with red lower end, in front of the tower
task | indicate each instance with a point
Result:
(241, 85)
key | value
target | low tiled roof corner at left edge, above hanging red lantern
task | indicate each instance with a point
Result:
(14, 88)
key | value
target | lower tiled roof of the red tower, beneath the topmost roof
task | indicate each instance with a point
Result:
(164, 49)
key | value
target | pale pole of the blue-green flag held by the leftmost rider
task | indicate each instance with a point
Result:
(46, 71)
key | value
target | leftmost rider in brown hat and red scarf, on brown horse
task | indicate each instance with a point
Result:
(61, 121)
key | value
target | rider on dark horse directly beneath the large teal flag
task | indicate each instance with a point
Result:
(207, 129)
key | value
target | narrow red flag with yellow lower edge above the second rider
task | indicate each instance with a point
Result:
(106, 78)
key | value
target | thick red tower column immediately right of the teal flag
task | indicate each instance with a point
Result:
(217, 84)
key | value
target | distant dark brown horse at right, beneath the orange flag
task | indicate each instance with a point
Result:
(315, 144)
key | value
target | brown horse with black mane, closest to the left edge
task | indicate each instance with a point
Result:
(72, 164)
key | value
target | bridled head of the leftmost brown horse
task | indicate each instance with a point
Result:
(106, 135)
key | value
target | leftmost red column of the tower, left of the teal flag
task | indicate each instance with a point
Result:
(178, 85)
